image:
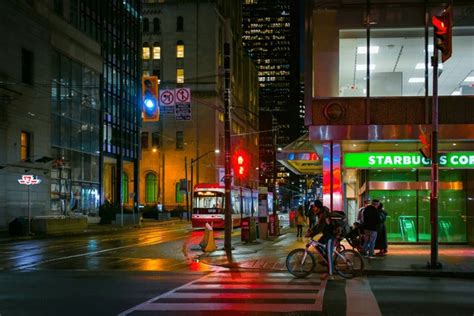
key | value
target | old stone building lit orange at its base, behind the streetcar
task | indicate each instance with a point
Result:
(182, 44)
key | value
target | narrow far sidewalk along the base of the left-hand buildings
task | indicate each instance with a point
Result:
(93, 229)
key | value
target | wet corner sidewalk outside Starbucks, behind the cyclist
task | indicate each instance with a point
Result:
(403, 260)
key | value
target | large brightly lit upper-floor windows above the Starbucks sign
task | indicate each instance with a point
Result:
(395, 59)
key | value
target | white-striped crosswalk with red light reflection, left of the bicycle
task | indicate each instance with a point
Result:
(241, 291)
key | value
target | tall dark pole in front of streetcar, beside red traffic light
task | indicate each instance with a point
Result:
(227, 177)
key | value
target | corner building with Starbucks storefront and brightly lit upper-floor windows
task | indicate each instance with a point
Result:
(369, 98)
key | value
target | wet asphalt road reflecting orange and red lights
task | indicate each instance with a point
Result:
(154, 271)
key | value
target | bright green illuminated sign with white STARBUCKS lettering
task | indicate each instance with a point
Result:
(401, 160)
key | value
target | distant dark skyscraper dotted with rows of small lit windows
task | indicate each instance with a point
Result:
(270, 35)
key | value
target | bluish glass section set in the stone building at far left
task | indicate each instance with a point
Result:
(75, 137)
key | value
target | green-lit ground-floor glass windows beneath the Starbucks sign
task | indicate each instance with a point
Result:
(408, 217)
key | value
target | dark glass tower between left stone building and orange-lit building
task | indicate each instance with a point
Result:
(115, 25)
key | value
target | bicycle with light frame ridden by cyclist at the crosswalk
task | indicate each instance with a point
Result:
(347, 263)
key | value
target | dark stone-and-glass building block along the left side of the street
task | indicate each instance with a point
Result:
(69, 93)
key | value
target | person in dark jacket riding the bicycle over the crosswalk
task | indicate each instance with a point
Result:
(327, 228)
